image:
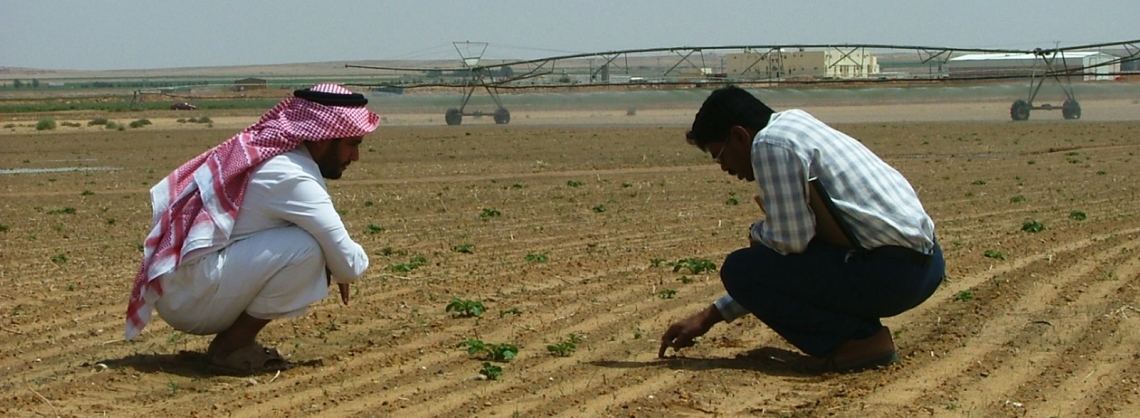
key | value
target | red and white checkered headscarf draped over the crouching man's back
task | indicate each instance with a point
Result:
(196, 207)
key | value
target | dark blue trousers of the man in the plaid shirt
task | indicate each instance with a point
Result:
(823, 298)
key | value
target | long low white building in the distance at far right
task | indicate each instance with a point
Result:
(981, 65)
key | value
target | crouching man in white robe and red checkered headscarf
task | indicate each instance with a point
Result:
(247, 233)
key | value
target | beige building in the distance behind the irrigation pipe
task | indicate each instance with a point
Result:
(830, 63)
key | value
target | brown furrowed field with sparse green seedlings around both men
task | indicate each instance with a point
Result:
(530, 271)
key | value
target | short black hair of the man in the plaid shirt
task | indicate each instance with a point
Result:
(727, 108)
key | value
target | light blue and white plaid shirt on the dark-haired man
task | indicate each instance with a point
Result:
(878, 204)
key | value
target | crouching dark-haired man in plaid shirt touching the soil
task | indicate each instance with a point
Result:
(844, 243)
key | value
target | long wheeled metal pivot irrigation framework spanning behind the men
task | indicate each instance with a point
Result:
(933, 59)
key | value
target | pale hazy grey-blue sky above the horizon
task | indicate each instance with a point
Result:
(137, 35)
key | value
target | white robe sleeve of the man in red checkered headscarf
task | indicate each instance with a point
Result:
(305, 203)
